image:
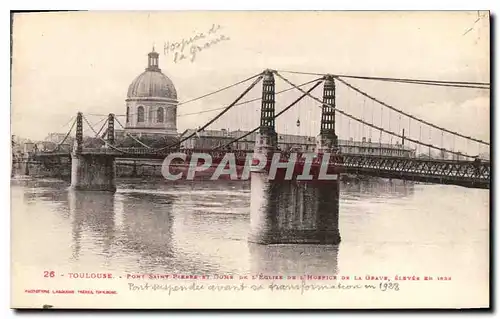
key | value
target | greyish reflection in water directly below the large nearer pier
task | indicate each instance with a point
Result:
(294, 259)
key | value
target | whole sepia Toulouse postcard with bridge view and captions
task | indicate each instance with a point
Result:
(247, 159)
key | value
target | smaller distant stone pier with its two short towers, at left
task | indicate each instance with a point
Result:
(92, 171)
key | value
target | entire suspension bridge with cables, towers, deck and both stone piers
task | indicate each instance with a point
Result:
(293, 211)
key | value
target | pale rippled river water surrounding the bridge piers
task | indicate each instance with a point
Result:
(387, 228)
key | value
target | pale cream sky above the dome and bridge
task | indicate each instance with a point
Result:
(84, 61)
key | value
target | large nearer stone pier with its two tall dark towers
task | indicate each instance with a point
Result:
(294, 211)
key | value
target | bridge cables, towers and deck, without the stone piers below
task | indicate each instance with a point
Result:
(450, 167)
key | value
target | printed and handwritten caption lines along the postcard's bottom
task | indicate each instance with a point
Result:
(302, 284)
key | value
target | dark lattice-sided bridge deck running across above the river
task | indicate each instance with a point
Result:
(474, 174)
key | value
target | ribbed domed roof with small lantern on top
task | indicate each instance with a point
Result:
(152, 82)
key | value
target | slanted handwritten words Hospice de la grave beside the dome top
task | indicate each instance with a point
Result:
(189, 48)
